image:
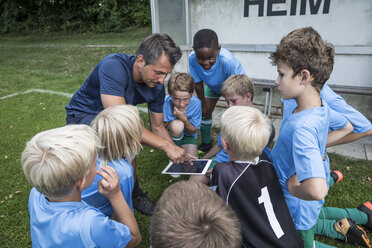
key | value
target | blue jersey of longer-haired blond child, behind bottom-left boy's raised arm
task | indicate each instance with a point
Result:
(125, 172)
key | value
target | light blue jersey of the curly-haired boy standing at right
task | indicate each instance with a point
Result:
(299, 149)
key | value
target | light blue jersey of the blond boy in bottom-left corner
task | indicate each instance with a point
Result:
(72, 224)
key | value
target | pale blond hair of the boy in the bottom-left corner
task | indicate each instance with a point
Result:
(55, 160)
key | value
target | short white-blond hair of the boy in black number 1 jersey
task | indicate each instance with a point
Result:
(246, 131)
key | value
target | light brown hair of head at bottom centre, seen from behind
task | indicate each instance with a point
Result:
(190, 215)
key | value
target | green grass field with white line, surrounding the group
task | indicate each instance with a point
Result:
(59, 64)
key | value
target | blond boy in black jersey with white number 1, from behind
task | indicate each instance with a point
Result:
(249, 184)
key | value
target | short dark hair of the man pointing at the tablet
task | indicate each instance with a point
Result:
(155, 45)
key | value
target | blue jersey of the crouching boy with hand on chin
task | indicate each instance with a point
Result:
(193, 113)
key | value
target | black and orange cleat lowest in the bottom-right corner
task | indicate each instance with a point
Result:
(353, 234)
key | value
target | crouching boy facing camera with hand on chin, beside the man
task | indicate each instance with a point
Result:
(182, 112)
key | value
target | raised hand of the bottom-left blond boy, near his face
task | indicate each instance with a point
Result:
(109, 186)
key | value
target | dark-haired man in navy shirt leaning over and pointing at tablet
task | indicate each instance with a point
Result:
(127, 79)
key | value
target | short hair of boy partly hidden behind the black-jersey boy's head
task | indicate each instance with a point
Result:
(237, 85)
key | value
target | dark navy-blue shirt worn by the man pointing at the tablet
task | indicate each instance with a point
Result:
(114, 76)
